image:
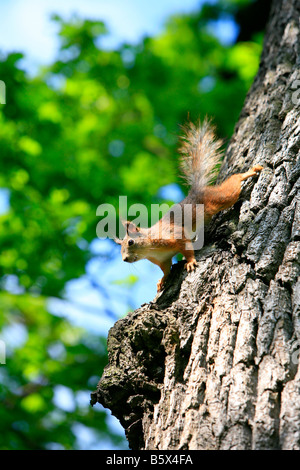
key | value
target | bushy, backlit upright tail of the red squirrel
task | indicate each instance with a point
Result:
(200, 154)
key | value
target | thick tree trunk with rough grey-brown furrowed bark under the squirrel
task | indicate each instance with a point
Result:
(212, 363)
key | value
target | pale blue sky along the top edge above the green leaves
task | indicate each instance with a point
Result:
(25, 24)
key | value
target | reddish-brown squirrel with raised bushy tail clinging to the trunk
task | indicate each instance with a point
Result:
(200, 157)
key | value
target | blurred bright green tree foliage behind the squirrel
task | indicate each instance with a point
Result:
(94, 125)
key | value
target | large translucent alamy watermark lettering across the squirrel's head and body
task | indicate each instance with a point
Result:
(179, 222)
